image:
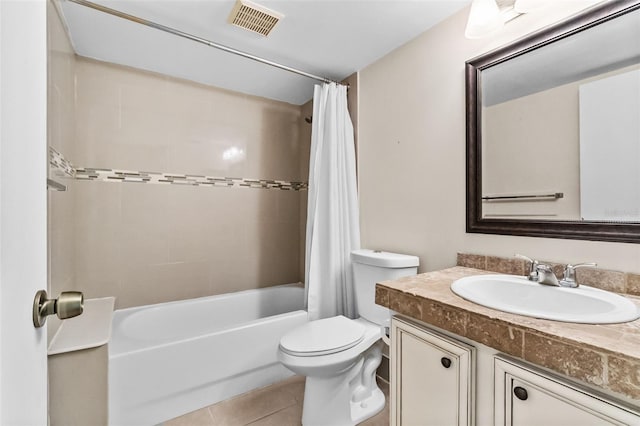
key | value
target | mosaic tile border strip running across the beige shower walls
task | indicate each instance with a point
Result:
(57, 161)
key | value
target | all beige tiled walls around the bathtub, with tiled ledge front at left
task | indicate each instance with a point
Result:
(234, 223)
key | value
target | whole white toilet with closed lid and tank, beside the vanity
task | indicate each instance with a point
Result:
(339, 356)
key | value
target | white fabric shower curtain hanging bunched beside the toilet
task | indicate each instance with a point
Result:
(333, 229)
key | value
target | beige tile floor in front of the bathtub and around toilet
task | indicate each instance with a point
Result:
(277, 405)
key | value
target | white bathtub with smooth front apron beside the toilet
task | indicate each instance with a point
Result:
(169, 359)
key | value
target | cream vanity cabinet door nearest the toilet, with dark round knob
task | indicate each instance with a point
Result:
(431, 377)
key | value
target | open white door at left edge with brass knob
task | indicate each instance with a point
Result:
(23, 210)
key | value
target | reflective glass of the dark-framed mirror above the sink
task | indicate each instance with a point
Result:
(560, 128)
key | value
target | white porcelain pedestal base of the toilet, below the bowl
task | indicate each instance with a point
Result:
(348, 398)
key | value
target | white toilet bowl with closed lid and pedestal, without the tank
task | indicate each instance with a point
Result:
(340, 388)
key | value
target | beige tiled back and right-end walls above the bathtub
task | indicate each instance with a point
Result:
(154, 243)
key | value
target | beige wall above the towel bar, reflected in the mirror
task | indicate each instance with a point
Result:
(533, 148)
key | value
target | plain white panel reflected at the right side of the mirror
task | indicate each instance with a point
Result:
(609, 110)
